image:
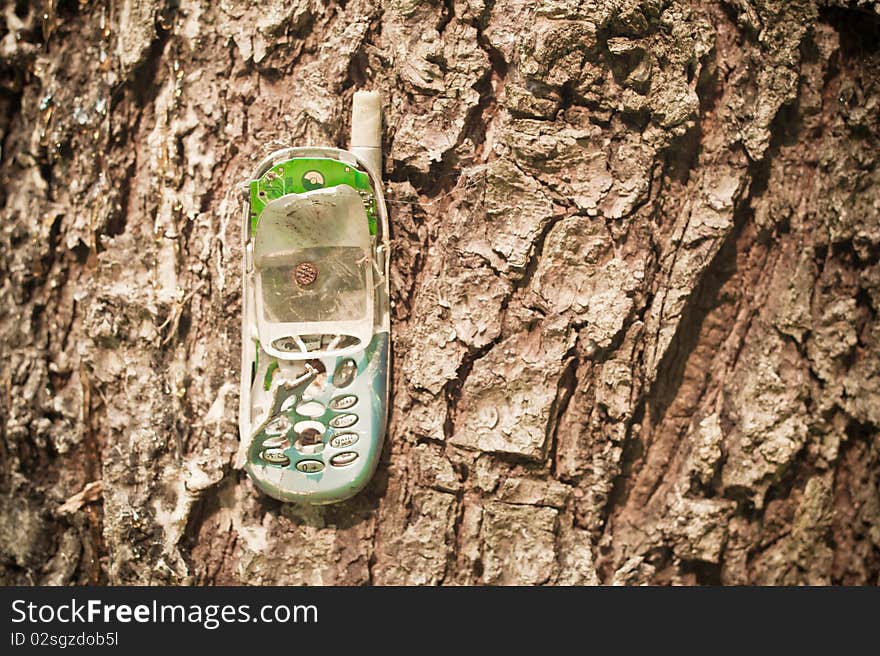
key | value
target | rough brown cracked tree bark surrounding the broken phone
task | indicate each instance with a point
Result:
(636, 281)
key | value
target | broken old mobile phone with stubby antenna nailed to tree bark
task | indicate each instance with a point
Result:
(315, 317)
